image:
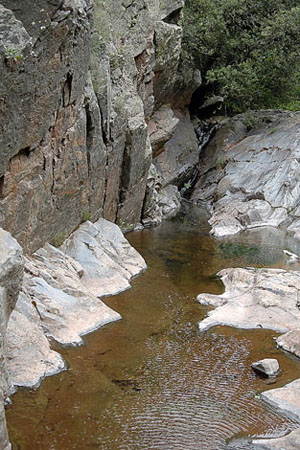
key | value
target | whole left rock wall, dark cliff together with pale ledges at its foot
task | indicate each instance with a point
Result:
(91, 93)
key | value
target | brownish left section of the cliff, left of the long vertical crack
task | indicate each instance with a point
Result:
(44, 165)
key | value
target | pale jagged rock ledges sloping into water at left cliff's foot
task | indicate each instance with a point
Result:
(60, 297)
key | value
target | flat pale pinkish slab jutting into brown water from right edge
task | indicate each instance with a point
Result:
(255, 298)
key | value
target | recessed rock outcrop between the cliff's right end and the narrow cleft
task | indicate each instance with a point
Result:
(176, 156)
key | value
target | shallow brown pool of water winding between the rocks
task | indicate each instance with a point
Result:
(152, 381)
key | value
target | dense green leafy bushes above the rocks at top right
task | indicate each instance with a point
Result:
(247, 50)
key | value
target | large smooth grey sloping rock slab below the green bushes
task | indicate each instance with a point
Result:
(250, 179)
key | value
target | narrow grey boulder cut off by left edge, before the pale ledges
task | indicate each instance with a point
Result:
(11, 275)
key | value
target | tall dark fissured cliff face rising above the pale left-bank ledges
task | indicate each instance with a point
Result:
(75, 143)
